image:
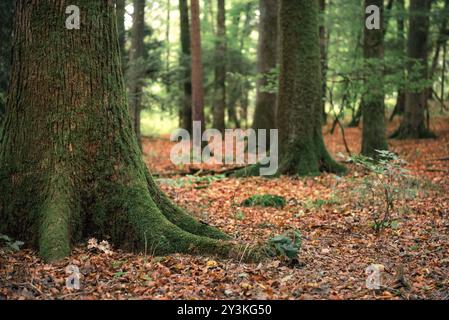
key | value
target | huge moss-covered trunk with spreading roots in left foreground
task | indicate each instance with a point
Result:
(70, 166)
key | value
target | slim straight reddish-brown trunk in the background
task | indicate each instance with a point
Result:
(197, 67)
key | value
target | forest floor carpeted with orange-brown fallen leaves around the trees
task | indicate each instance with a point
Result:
(338, 241)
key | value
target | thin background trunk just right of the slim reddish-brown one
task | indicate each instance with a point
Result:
(220, 69)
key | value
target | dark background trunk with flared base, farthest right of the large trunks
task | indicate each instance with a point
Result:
(413, 123)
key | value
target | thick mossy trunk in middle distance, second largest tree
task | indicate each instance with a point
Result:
(301, 145)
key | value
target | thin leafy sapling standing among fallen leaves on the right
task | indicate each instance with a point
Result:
(386, 182)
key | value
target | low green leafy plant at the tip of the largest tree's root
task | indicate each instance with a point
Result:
(286, 245)
